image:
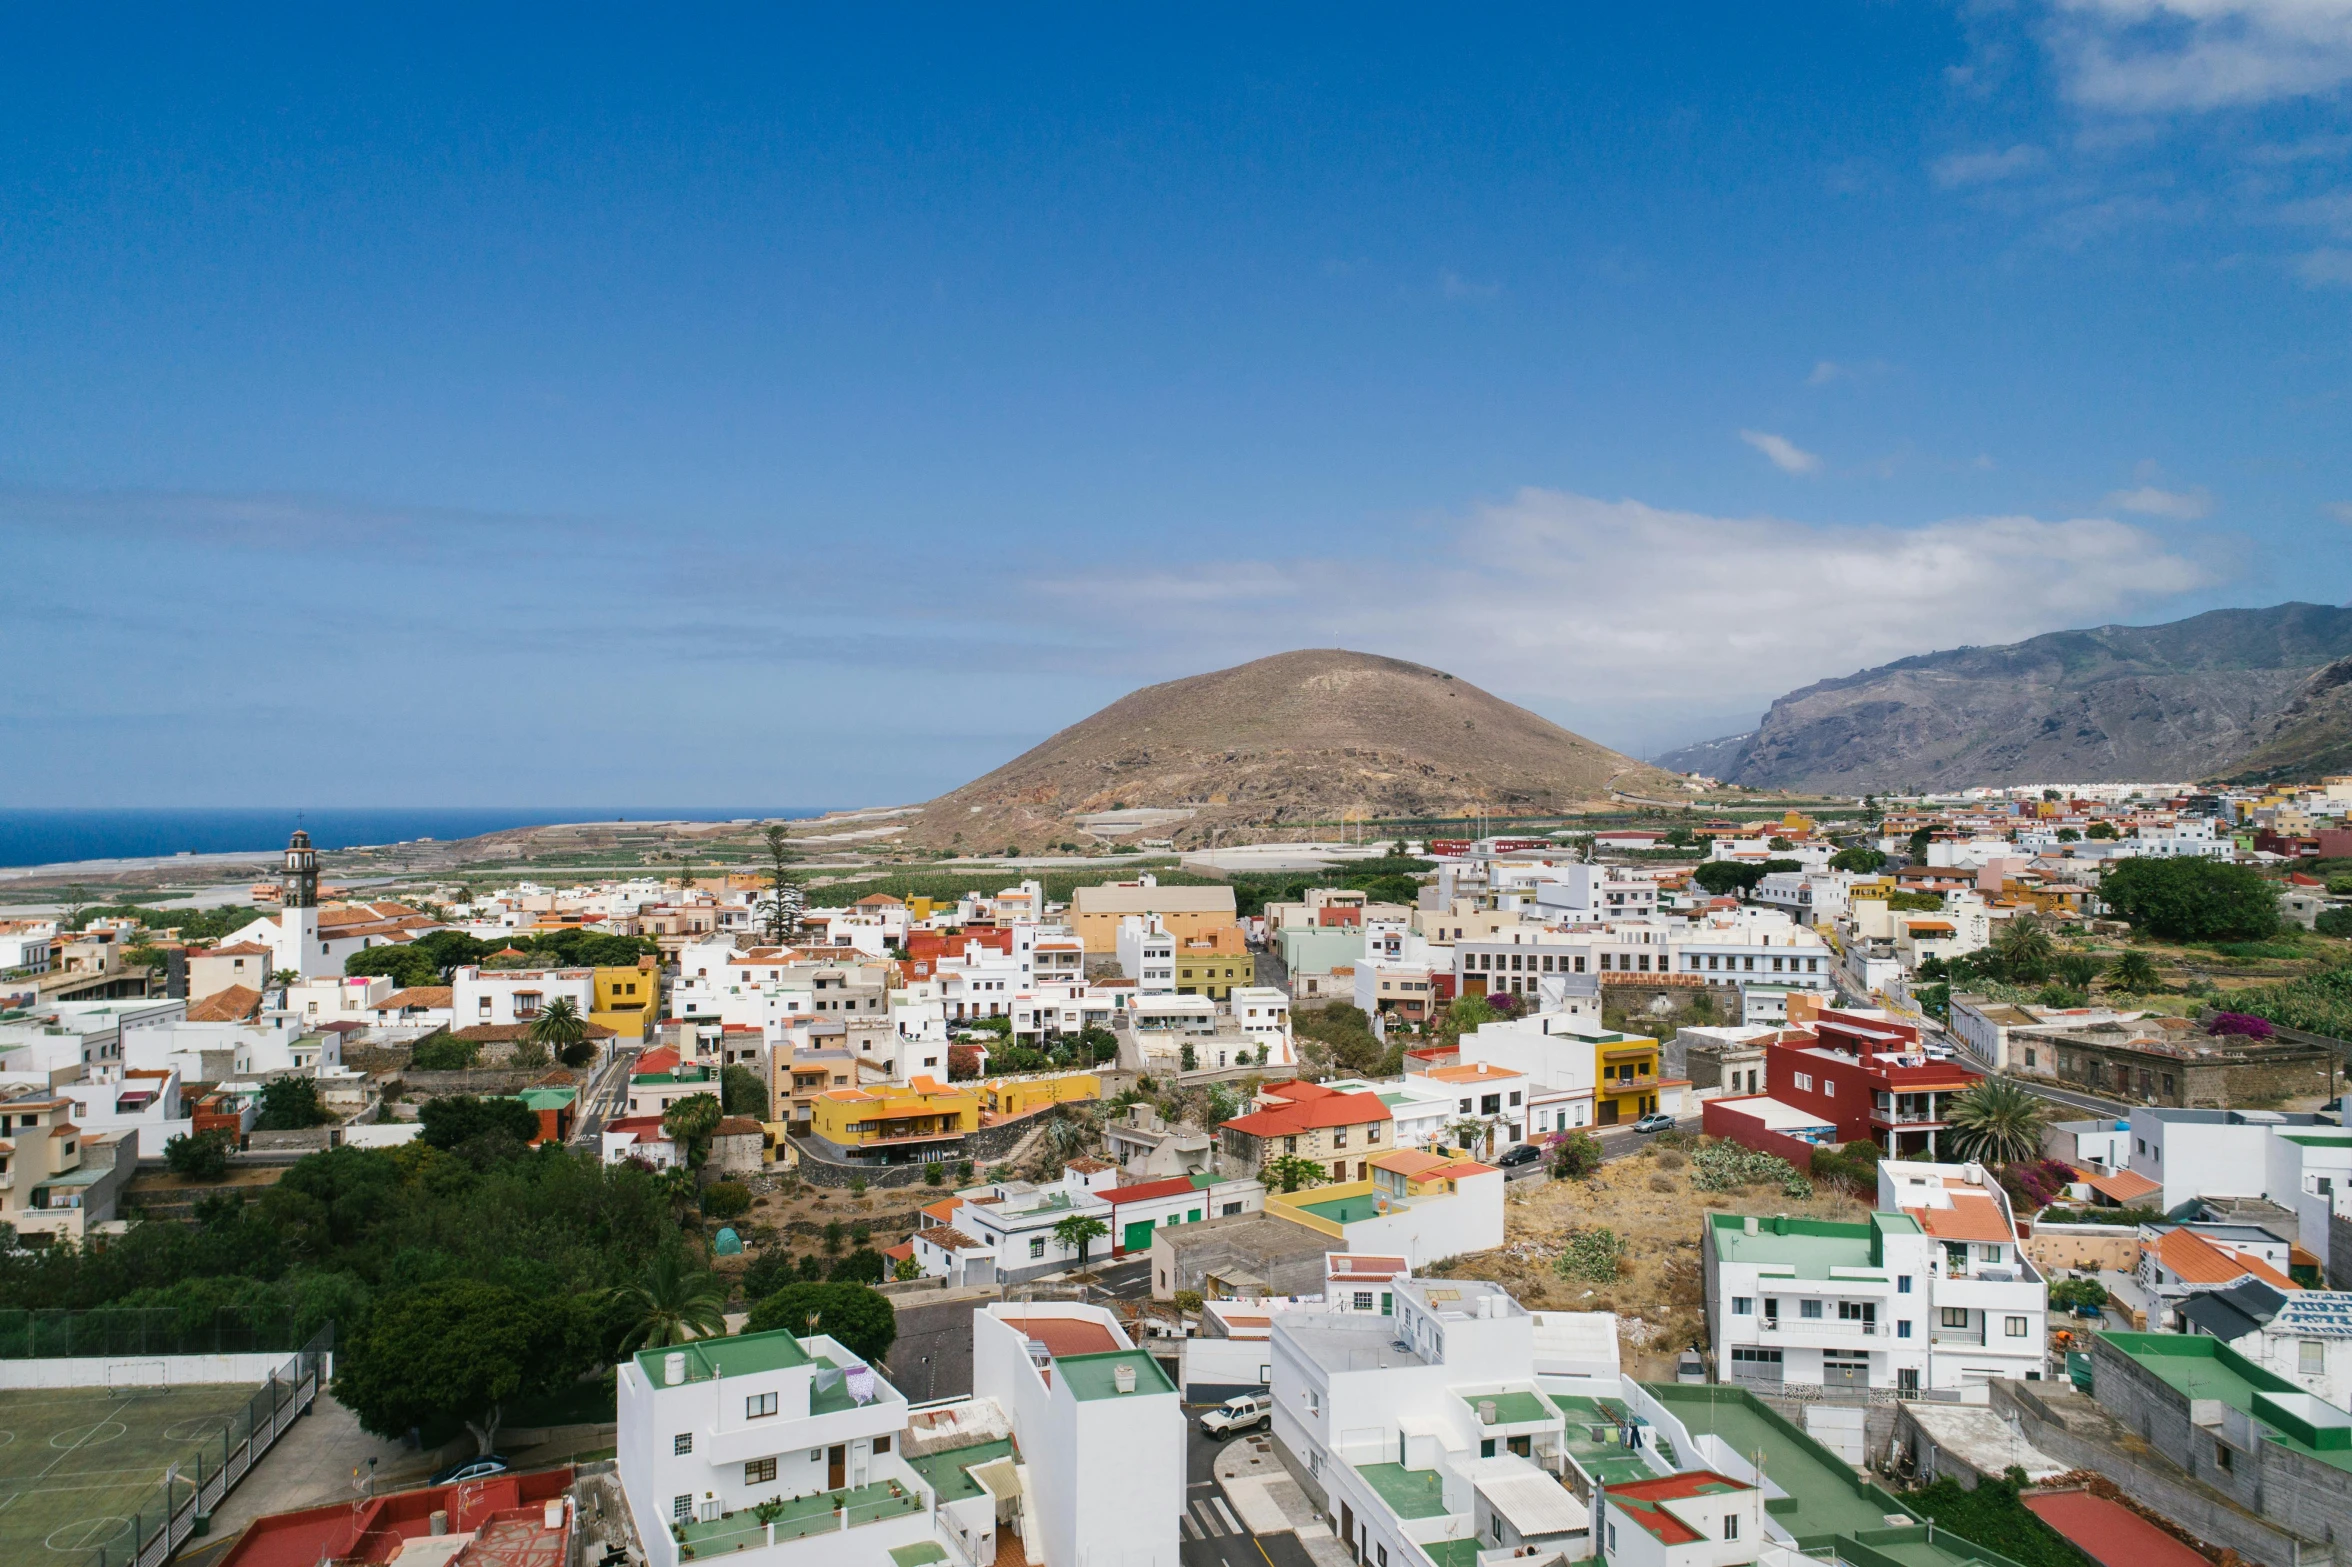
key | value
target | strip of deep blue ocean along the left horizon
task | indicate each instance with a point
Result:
(53, 836)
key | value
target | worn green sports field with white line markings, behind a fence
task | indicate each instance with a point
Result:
(76, 1465)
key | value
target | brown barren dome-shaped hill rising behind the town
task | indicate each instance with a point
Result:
(1302, 738)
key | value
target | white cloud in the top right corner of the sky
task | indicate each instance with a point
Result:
(2198, 55)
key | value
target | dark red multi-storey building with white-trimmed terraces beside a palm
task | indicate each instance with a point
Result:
(1871, 1079)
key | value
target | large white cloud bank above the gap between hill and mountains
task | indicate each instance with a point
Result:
(1516, 599)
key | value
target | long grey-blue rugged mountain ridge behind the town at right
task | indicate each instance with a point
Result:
(2186, 700)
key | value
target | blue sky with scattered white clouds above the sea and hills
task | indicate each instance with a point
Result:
(813, 408)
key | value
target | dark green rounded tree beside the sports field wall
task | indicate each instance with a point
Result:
(453, 1352)
